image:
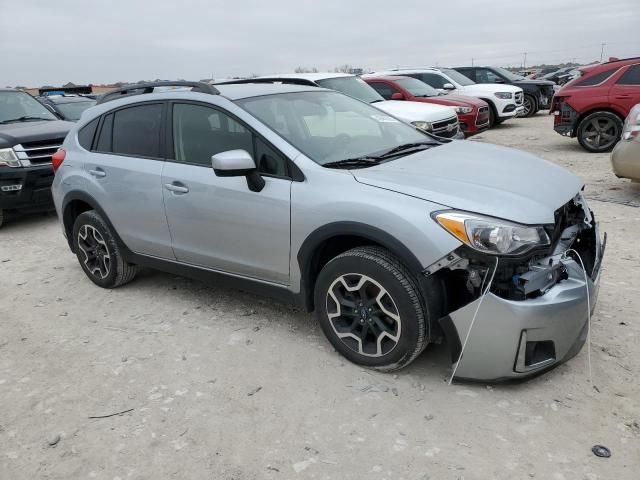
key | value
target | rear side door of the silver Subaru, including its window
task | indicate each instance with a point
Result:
(125, 172)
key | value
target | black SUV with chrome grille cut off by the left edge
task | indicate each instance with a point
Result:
(29, 135)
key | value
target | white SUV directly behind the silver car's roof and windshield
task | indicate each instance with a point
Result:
(436, 119)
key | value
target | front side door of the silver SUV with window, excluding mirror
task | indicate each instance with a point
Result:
(217, 222)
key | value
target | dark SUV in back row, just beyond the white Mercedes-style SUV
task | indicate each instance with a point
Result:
(537, 93)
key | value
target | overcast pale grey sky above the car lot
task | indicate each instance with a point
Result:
(54, 42)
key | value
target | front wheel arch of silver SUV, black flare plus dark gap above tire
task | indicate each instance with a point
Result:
(333, 239)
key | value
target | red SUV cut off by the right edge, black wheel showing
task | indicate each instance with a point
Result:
(593, 106)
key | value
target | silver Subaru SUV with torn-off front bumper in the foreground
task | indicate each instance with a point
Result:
(394, 237)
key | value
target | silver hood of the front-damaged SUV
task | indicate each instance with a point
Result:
(487, 179)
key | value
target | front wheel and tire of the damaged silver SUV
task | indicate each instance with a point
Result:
(370, 309)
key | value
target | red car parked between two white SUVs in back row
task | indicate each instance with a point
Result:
(473, 113)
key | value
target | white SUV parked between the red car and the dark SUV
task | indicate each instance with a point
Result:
(505, 101)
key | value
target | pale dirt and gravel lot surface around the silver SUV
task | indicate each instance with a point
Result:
(218, 384)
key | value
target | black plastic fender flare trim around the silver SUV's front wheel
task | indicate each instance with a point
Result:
(373, 234)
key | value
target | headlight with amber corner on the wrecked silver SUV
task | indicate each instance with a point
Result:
(492, 235)
